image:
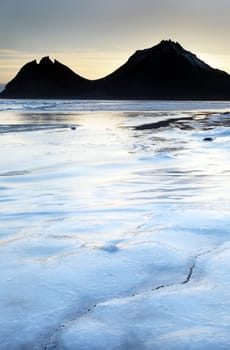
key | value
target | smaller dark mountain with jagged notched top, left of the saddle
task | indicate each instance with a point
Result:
(46, 79)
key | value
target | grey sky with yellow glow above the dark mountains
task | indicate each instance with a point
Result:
(94, 37)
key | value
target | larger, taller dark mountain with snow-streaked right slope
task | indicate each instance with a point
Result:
(166, 71)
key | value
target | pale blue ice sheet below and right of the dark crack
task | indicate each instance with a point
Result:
(191, 316)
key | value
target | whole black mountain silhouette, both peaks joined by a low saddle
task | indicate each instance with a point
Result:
(165, 71)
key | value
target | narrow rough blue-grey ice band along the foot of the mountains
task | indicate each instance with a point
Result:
(66, 106)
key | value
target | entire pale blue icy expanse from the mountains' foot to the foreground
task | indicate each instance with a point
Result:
(114, 225)
